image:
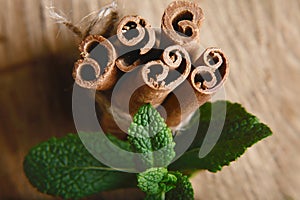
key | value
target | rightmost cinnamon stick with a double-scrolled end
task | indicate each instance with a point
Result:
(210, 74)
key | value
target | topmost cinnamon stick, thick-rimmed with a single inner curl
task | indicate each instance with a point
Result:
(181, 25)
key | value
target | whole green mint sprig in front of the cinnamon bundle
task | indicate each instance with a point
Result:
(63, 167)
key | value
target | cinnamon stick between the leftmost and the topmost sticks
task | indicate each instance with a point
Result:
(135, 39)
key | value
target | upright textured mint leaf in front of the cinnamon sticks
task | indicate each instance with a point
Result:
(151, 138)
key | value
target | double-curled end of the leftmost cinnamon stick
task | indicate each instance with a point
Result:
(97, 69)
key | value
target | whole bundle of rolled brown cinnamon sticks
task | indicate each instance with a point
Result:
(140, 65)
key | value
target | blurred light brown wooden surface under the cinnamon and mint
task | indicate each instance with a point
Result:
(261, 39)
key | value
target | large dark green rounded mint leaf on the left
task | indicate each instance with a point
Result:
(63, 167)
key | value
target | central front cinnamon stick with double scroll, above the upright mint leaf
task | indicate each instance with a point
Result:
(155, 80)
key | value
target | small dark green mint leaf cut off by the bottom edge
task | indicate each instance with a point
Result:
(183, 189)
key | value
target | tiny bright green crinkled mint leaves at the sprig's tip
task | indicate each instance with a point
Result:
(156, 181)
